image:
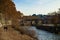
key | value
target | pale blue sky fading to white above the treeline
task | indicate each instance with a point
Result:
(29, 7)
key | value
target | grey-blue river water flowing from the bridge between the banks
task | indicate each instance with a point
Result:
(44, 35)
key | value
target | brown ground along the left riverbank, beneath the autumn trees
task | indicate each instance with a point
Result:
(11, 34)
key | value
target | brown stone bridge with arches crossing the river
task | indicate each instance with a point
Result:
(31, 21)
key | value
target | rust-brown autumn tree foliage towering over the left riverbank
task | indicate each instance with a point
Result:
(7, 7)
